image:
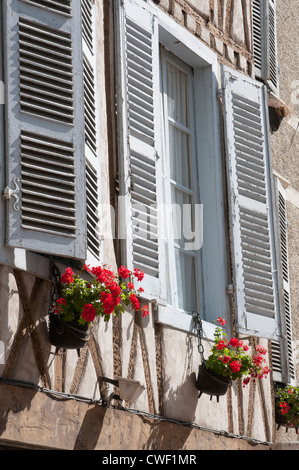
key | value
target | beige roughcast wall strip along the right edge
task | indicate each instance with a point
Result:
(285, 153)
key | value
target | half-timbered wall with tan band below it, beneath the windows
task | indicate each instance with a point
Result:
(164, 360)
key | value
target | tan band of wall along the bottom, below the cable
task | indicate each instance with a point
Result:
(32, 418)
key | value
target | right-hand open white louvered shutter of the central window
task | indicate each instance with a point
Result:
(255, 281)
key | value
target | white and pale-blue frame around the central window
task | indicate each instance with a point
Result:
(215, 275)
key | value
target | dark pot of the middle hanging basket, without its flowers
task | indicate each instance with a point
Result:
(211, 383)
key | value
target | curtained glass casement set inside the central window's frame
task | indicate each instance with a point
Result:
(180, 192)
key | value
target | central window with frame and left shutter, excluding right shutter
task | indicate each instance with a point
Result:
(168, 89)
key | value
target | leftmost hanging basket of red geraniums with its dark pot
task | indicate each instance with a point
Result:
(78, 301)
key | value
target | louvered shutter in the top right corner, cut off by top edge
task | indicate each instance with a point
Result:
(264, 42)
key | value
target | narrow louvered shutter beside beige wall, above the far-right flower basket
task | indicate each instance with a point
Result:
(282, 350)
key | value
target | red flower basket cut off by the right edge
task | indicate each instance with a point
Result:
(287, 408)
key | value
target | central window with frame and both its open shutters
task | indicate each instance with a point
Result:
(159, 55)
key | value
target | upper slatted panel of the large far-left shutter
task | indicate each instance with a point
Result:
(45, 69)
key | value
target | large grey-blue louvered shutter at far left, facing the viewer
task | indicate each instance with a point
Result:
(44, 126)
